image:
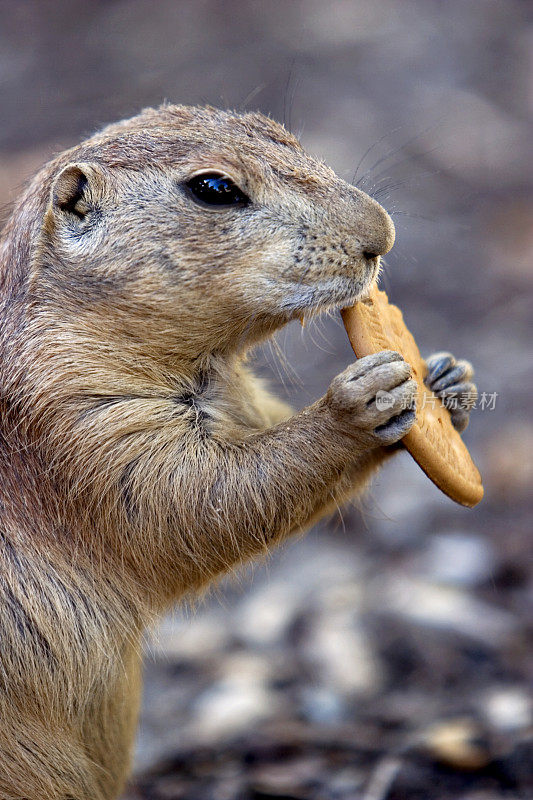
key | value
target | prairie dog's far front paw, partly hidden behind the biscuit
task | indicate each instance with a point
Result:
(451, 380)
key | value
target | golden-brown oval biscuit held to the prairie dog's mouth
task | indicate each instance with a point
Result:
(374, 324)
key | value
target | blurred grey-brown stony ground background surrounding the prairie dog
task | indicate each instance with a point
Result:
(387, 654)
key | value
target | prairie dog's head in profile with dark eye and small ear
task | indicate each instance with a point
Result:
(202, 228)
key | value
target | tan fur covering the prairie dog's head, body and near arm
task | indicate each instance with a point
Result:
(139, 457)
